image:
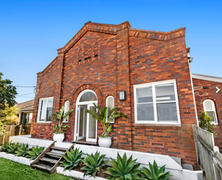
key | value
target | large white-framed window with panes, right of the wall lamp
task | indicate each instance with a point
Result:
(156, 103)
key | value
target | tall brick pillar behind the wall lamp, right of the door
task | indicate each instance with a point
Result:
(123, 84)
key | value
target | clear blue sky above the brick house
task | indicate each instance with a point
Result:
(31, 31)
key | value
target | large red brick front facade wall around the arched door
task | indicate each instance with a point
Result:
(125, 58)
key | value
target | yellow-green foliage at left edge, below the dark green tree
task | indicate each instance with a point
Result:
(9, 114)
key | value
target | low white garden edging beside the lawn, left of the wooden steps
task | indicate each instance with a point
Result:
(12, 157)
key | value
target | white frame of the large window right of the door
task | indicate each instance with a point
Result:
(155, 122)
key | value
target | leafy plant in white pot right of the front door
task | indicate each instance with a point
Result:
(101, 115)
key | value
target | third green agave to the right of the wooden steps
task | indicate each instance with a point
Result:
(123, 168)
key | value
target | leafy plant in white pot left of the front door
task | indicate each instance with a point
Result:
(60, 127)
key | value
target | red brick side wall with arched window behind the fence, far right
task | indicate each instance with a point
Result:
(203, 94)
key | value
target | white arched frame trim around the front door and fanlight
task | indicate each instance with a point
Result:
(83, 103)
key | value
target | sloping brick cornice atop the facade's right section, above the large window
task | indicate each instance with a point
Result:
(157, 35)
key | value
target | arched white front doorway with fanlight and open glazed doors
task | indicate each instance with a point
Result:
(85, 124)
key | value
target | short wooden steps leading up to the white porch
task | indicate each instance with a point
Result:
(49, 159)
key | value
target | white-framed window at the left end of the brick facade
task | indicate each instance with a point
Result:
(45, 109)
